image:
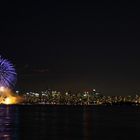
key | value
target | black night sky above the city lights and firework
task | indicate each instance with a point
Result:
(76, 46)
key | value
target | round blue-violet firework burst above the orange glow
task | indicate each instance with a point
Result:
(8, 74)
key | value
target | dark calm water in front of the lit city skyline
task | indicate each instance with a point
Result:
(69, 123)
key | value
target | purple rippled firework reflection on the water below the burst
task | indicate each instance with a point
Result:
(8, 123)
